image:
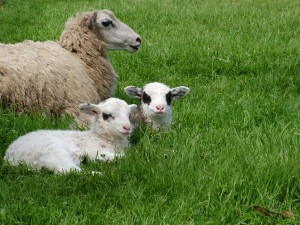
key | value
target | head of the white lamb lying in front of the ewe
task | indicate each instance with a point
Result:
(111, 117)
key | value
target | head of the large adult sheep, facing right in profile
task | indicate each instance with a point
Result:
(117, 35)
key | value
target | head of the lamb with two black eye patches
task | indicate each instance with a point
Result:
(156, 99)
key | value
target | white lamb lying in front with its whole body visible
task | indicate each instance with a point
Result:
(63, 151)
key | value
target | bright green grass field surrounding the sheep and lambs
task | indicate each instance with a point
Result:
(235, 139)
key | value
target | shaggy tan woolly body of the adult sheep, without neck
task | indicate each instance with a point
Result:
(43, 76)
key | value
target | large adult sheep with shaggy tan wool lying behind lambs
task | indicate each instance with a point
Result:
(56, 77)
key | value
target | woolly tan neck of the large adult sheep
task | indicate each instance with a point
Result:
(84, 43)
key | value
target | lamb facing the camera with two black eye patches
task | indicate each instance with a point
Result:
(155, 108)
